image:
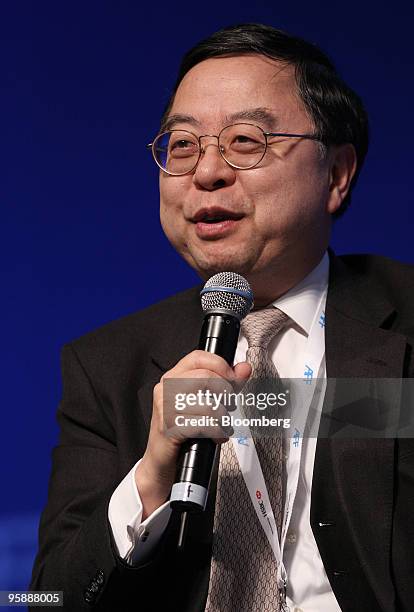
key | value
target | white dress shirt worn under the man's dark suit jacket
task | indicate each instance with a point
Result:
(308, 588)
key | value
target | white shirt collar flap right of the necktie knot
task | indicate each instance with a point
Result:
(301, 301)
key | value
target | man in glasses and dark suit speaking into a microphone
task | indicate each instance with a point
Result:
(258, 150)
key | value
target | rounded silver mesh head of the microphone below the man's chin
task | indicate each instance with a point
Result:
(222, 292)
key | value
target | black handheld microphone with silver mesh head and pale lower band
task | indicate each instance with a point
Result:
(225, 299)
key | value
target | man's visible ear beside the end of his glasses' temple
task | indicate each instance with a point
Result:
(342, 167)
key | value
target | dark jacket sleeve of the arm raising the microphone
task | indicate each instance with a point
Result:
(76, 553)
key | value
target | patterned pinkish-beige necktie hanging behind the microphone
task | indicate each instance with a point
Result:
(243, 568)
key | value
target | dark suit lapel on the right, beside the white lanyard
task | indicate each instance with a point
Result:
(359, 470)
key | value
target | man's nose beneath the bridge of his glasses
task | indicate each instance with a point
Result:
(212, 171)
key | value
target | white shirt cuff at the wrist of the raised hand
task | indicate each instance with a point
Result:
(135, 540)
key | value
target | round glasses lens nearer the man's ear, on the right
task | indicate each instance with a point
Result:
(242, 144)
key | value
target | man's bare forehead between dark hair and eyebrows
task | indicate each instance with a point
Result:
(218, 88)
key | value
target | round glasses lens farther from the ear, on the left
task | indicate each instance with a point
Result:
(176, 152)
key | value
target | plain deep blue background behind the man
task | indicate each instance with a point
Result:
(83, 87)
